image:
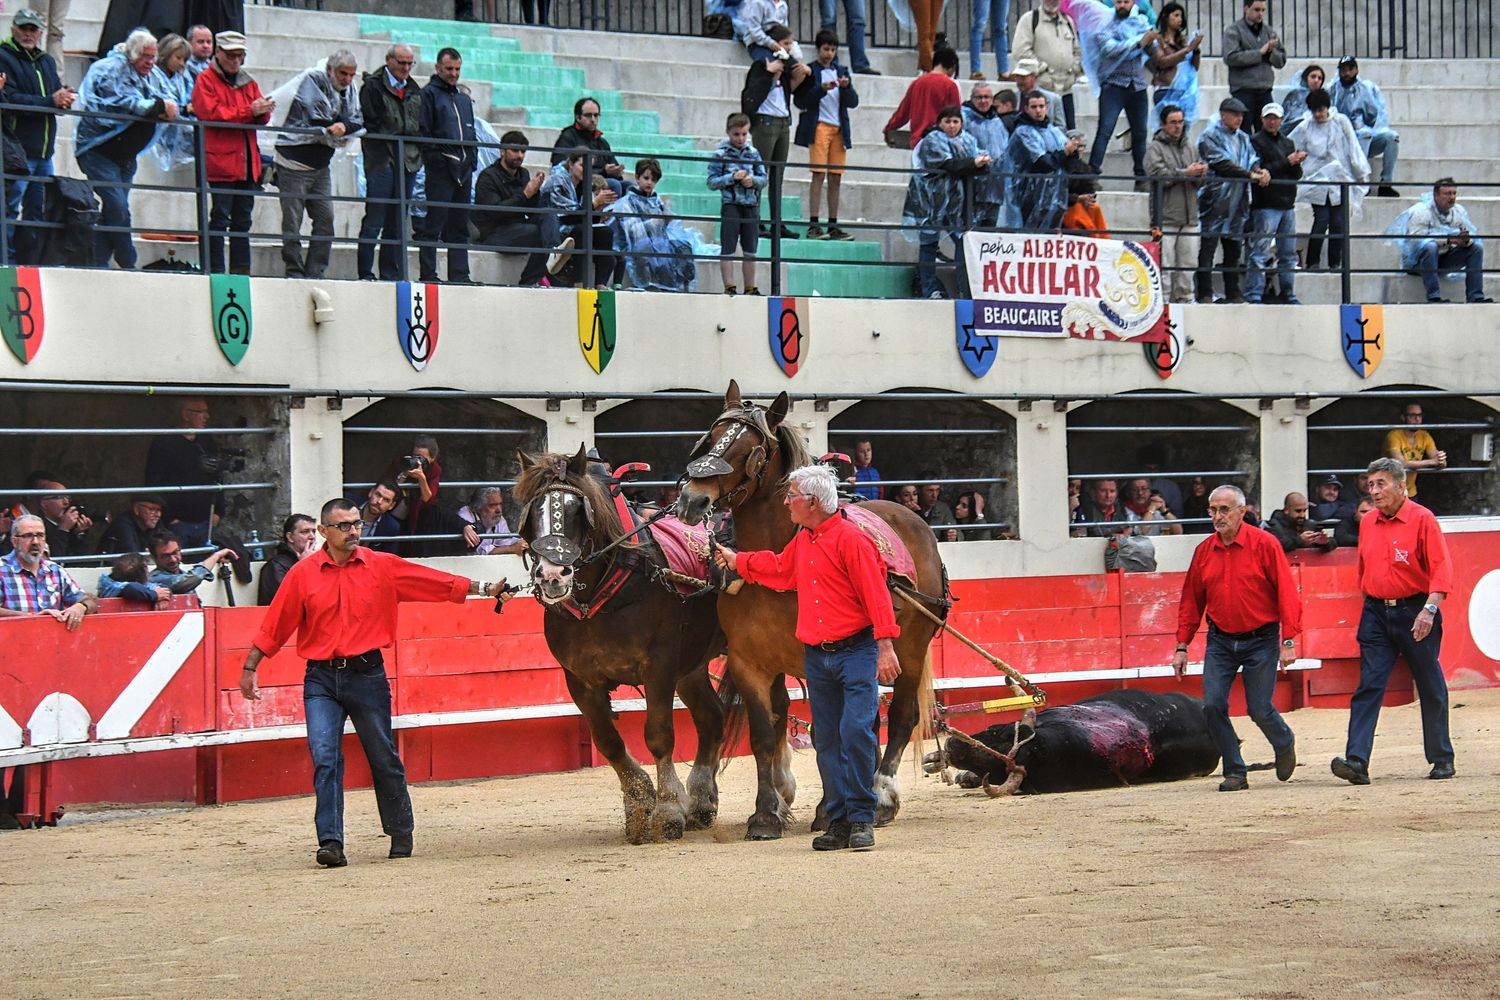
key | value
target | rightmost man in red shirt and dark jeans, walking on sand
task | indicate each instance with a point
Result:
(1405, 575)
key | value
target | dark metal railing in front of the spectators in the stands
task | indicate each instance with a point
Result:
(586, 223)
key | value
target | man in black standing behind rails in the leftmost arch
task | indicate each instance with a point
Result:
(191, 460)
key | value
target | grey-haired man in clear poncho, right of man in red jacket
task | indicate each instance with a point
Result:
(322, 119)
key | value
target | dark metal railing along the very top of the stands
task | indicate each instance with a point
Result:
(1409, 29)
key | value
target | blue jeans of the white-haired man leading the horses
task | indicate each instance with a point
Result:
(847, 701)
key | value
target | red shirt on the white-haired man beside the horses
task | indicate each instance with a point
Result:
(839, 579)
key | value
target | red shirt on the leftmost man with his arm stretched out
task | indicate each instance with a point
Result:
(352, 609)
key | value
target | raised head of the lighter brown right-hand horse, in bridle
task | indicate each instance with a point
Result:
(728, 464)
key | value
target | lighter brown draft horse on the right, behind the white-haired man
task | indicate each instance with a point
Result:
(754, 454)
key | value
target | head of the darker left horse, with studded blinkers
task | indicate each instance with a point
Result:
(559, 521)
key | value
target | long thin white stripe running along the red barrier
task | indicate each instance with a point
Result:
(422, 720)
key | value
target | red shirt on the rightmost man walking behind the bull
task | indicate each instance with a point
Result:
(1405, 555)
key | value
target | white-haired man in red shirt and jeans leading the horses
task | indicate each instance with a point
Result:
(847, 621)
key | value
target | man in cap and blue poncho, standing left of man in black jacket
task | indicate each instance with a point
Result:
(1225, 200)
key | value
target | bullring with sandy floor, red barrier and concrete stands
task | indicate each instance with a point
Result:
(170, 840)
